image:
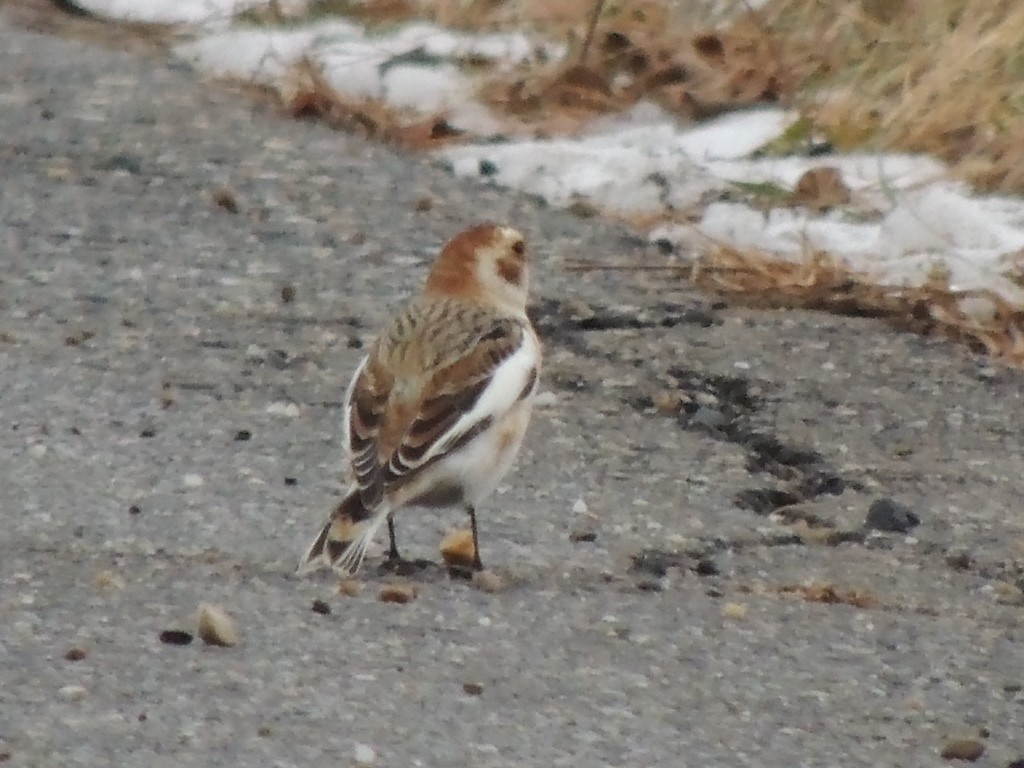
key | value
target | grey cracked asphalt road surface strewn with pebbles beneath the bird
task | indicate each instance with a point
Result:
(687, 577)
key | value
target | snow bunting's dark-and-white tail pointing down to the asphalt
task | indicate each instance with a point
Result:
(343, 543)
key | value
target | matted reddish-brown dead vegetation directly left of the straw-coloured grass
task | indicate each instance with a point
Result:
(645, 51)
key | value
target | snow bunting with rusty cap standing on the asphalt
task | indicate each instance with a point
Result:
(437, 411)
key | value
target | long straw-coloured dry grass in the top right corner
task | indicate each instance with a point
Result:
(943, 77)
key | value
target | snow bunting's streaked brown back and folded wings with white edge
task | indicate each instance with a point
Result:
(428, 389)
